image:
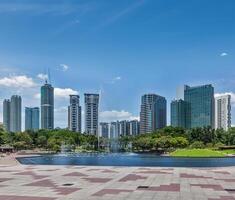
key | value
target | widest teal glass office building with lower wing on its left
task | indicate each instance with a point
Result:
(196, 109)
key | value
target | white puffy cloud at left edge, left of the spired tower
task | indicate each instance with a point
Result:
(21, 81)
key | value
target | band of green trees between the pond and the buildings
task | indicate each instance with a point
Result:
(162, 139)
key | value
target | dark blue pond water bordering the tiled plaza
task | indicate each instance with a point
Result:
(125, 159)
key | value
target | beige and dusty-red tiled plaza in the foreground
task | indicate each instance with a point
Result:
(109, 183)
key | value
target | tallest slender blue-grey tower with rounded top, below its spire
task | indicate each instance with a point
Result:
(47, 106)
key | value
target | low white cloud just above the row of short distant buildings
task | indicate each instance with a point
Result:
(114, 115)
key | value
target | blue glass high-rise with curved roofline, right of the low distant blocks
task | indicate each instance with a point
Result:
(153, 113)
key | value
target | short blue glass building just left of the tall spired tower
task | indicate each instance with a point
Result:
(32, 118)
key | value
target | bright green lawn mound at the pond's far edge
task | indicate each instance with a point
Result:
(198, 153)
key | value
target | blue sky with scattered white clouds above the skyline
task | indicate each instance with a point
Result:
(122, 48)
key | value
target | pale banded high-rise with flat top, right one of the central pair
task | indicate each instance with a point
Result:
(91, 113)
